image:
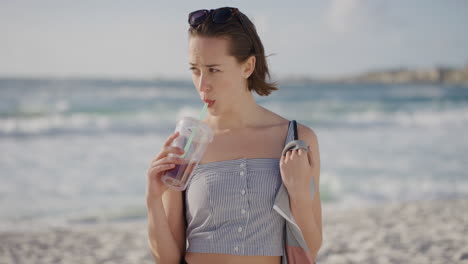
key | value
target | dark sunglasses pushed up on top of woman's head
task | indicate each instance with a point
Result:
(219, 16)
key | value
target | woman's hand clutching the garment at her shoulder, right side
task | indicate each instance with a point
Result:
(296, 169)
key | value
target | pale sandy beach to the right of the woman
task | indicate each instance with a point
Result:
(412, 232)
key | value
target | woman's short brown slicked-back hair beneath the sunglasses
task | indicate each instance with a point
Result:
(242, 45)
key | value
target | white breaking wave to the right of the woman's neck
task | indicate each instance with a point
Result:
(340, 114)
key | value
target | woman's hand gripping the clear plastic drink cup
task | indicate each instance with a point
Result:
(159, 165)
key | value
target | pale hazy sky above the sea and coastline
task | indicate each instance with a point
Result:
(148, 39)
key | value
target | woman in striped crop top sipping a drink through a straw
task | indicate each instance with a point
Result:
(228, 216)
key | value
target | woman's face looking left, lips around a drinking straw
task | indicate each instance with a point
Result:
(216, 75)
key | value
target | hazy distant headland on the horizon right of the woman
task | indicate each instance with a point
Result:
(436, 75)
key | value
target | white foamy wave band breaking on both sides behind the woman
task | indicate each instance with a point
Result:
(115, 120)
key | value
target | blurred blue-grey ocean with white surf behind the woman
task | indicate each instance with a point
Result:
(77, 150)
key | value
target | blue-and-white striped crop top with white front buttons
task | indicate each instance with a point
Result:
(229, 207)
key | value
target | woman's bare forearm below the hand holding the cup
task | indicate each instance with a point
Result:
(162, 244)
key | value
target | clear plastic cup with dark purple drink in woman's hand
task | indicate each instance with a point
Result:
(178, 177)
